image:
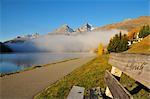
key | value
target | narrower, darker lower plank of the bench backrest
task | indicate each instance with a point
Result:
(117, 90)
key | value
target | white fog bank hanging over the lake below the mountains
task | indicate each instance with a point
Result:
(64, 43)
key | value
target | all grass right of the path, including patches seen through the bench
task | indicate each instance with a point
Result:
(89, 75)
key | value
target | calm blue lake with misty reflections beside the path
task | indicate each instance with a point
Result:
(19, 61)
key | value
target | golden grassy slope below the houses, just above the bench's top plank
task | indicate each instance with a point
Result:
(142, 47)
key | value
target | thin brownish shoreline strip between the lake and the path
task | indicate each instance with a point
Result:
(37, 66)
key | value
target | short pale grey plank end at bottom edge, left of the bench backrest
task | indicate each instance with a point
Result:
(76, 93)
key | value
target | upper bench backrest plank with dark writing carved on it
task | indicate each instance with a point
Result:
(137, 66)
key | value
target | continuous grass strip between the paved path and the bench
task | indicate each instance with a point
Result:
(88, 76)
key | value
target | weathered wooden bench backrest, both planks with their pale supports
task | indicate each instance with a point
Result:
(136, 66)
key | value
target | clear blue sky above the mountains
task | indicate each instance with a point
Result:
(21, 17)
